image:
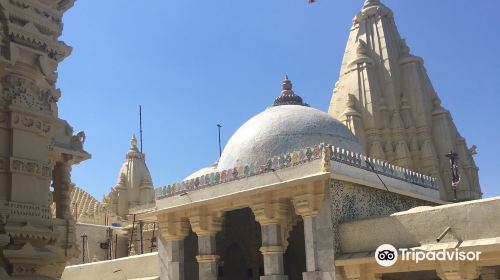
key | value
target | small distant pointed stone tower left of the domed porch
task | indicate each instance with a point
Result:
(134, 186)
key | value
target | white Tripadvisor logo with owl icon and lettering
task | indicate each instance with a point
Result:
(387, 255)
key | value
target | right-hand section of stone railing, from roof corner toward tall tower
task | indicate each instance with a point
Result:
(382, 167)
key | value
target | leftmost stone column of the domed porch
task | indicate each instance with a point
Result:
(173, 231)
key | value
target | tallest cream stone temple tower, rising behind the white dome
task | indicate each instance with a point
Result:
(386, 98)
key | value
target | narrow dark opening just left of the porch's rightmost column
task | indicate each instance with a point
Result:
(295, 254)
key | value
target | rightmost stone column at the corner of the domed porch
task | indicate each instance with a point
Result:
(307, 205)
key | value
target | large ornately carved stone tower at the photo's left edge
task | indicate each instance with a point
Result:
(37, 148)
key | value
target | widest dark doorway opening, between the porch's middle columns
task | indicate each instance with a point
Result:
(238, 246)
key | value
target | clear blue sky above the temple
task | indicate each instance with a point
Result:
(193, 64)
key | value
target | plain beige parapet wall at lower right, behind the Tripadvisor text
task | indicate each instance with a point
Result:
(468, 221)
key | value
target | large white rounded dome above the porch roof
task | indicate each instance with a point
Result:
(284, 129)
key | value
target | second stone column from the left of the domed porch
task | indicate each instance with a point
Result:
(206, 225)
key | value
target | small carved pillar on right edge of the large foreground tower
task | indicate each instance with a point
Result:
(62, 186)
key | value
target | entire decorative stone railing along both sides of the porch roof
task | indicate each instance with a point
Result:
(293, 159)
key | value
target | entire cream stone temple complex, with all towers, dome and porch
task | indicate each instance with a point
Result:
(297, 193)
